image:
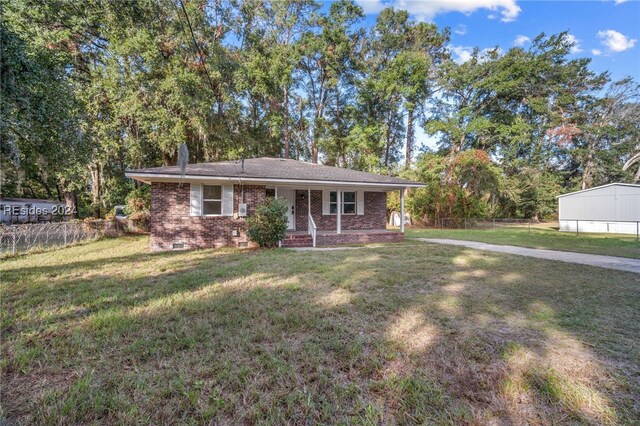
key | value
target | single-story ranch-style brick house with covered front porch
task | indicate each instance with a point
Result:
(208, 205)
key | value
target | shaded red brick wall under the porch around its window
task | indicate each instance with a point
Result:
(374, 217)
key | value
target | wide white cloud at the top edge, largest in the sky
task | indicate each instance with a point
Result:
(508, 9)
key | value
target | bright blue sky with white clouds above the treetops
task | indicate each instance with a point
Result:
(608, 32)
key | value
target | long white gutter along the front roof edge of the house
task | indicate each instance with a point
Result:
(149, 177)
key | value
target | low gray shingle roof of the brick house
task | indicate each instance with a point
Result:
(274, 168)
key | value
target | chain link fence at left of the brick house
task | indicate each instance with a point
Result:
(15, 239)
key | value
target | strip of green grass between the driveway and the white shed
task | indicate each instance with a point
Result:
(542, 236)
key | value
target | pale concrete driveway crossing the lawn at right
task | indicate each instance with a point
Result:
(610, 262)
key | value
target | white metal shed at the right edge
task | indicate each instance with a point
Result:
(612, 208)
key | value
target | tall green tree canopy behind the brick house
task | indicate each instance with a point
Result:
(89, 89)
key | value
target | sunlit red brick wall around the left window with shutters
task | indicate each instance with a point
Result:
(171, 223)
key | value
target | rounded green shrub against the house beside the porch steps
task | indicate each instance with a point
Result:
(269, 223)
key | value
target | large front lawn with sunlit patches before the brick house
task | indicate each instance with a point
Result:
(107, 332)
